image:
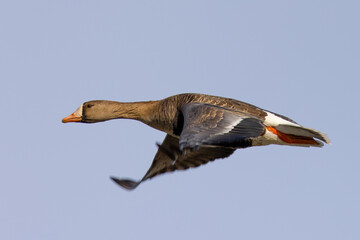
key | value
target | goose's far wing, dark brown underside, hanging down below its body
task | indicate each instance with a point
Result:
(169, 158)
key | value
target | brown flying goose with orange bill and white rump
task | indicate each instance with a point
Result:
(199, 128)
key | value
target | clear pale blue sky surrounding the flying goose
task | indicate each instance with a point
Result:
(297, 58)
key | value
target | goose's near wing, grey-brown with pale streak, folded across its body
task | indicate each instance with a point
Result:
(209, 125)
